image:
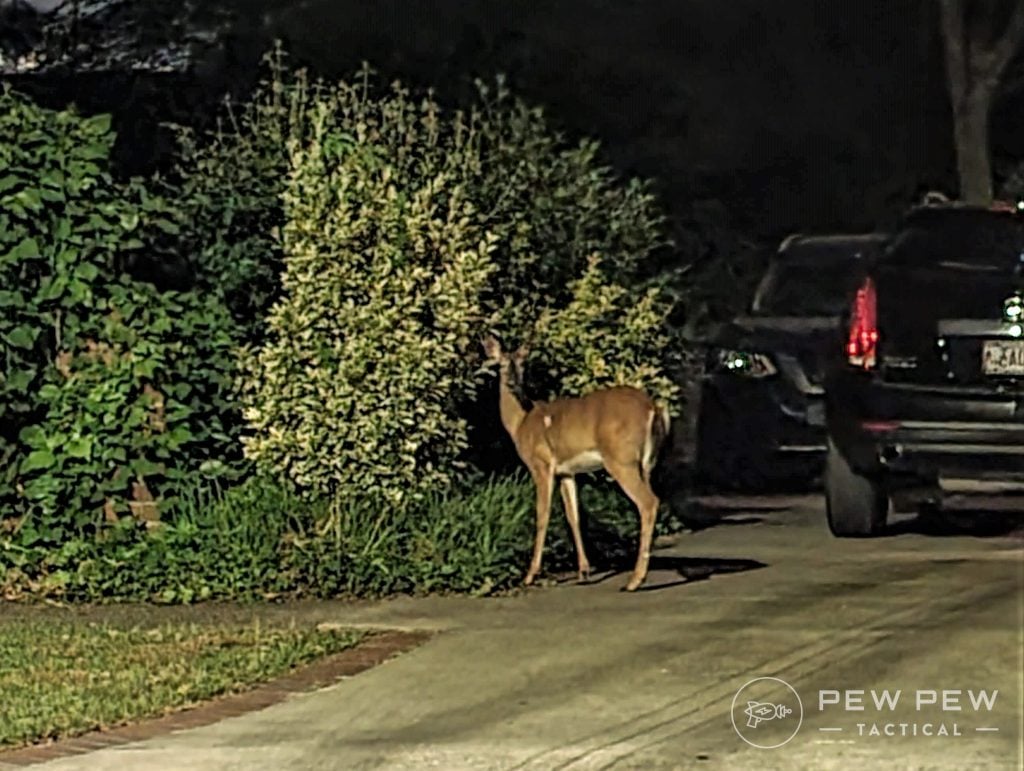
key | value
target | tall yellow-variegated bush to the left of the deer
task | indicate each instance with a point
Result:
(385, 267)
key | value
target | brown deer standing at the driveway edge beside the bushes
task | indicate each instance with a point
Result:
(620, 430)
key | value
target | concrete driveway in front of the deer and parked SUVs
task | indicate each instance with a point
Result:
(586, 677)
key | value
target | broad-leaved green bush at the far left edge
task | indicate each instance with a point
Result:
(109, 391)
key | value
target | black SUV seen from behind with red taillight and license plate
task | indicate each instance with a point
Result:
(927, 397)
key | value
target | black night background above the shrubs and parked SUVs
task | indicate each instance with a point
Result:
(761, 118)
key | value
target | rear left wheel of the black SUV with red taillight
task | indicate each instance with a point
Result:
(856, 505)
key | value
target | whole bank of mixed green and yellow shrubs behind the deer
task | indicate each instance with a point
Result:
(342, 249)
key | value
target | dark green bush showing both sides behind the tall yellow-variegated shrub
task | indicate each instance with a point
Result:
(551, 203)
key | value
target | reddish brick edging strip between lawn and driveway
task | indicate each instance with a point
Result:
(375, 650)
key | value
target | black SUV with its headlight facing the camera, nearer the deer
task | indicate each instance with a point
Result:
(761, 423)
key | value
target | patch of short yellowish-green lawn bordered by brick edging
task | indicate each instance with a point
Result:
(65, 677)
